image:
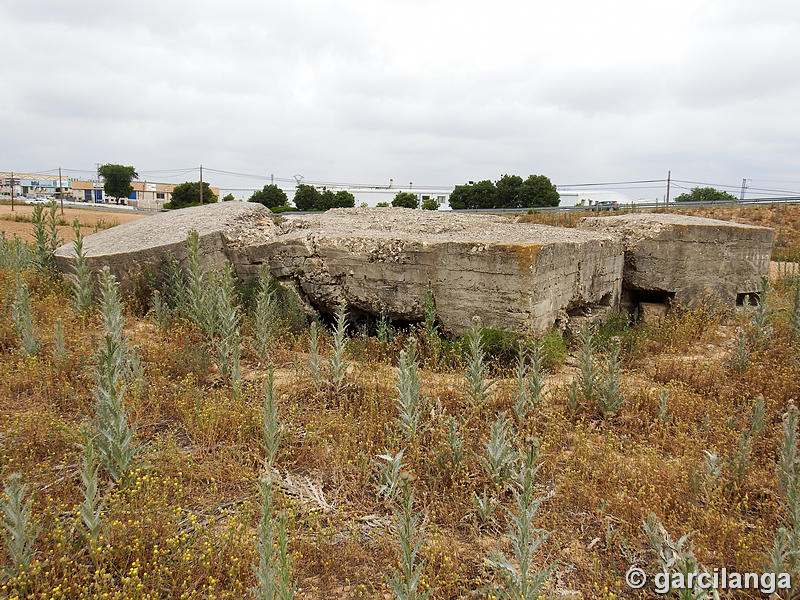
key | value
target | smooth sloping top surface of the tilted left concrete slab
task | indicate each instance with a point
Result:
(167, 228)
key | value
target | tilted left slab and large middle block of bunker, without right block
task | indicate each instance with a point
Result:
(513, 275)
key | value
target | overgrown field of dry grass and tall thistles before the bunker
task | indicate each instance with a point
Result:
(200, 440)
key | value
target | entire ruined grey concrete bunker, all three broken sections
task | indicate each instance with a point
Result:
(515, 276)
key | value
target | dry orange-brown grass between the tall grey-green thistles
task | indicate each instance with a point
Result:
(185, 525)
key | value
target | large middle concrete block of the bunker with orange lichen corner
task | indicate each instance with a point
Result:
(512, 275)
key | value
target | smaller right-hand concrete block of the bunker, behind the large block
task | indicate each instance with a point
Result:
(690, 257)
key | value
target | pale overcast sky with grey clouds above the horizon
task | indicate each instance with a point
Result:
(434, 92)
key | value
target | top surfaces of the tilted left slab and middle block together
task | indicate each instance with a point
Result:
(246, 224)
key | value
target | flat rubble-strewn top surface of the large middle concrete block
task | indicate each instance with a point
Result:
(406, 224)
